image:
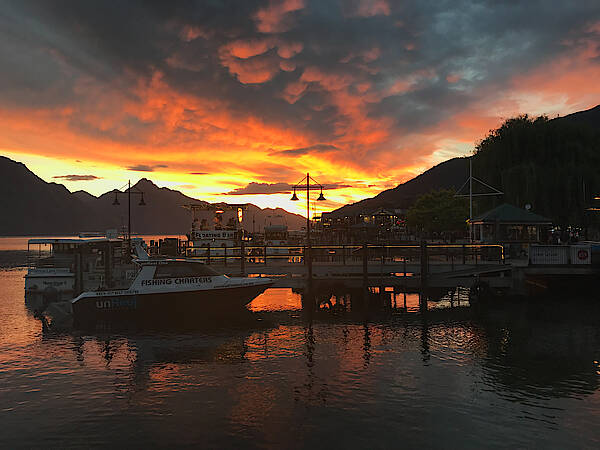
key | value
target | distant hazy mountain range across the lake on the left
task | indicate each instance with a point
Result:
(30, 206)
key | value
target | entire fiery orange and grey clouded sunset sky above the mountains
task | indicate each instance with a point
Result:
(236, 100)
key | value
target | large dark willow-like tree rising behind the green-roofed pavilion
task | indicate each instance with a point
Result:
(553, 165)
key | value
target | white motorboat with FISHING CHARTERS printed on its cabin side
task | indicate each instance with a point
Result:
(170, 287)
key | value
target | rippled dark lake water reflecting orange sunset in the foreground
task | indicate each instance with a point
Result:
(517, 375)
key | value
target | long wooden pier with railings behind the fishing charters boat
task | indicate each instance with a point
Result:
(402, 267)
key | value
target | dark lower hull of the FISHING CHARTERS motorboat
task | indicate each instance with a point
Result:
(163, 305)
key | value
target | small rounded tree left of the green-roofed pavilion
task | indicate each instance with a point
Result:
(439, 211)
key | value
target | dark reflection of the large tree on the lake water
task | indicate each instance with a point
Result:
(542, 350)
